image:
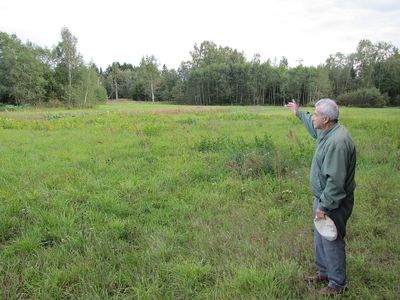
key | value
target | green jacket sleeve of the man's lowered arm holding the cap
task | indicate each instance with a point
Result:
(334, 170)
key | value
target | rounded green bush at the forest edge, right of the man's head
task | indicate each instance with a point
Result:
(364, 97)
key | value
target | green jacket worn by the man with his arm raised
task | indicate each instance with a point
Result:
(333, 167)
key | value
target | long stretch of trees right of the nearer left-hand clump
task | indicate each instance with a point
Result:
(222, 75)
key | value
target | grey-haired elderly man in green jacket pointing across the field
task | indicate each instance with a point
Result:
(332, 183)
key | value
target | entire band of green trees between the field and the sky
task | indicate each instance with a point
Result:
(30, 74)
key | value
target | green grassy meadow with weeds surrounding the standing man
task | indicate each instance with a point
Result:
(156, 201)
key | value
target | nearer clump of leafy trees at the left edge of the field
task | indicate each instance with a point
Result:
(33, 75)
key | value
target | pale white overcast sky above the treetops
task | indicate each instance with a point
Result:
(127, 30)
